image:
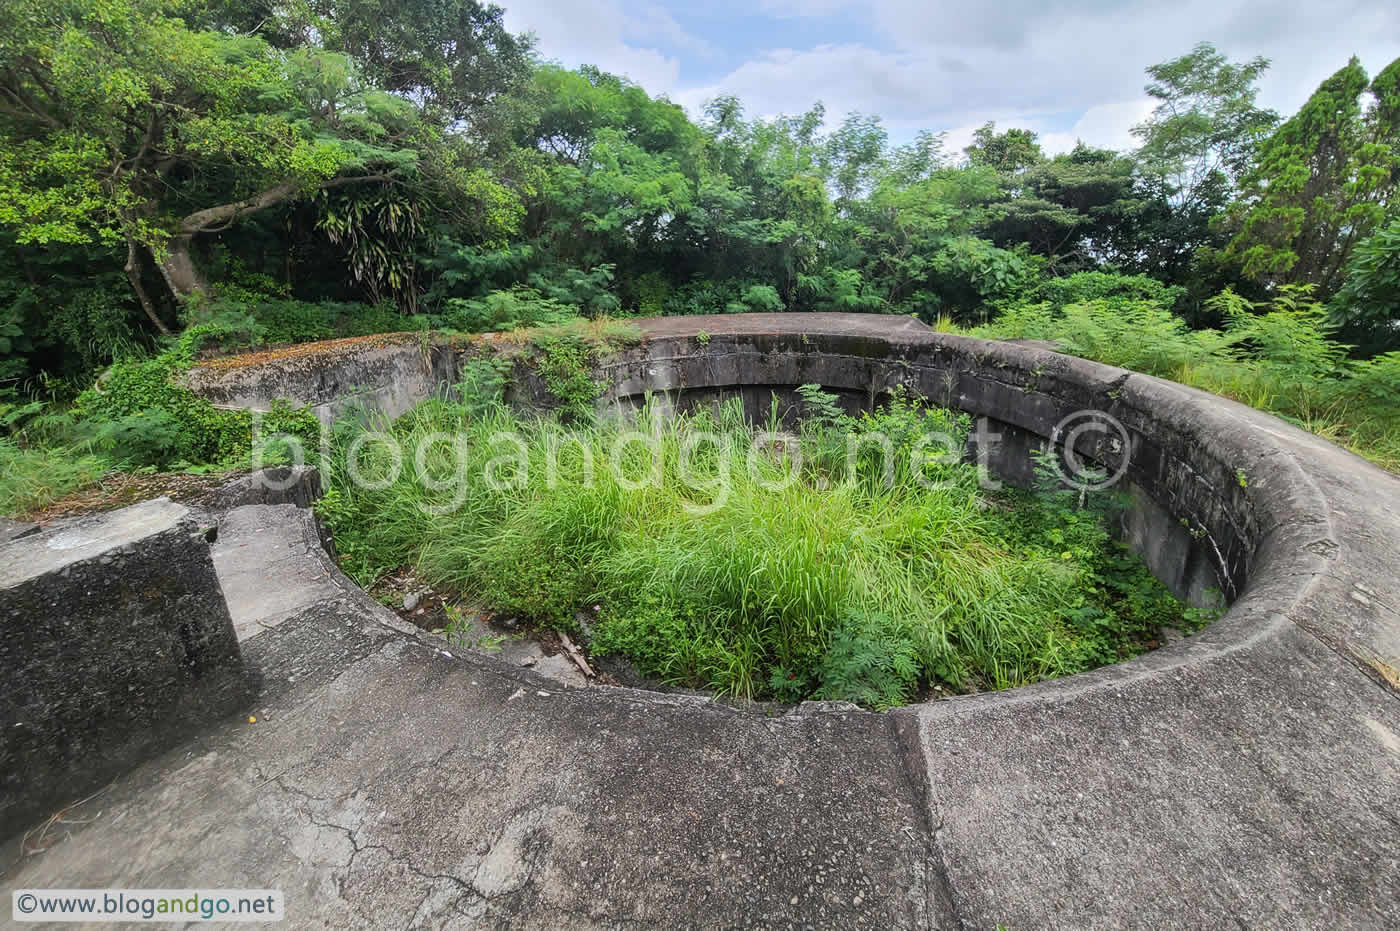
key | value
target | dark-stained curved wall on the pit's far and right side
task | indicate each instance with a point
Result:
(1192, 521)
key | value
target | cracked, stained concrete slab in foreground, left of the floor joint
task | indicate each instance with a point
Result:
(394, 782)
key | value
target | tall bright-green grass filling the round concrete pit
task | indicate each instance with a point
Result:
(780, 582)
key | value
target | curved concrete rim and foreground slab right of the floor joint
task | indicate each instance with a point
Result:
(1251, 773)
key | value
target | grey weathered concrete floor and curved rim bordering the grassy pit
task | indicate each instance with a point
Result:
(1249, 775)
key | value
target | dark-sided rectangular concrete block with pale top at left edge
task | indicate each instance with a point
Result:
(115, 646)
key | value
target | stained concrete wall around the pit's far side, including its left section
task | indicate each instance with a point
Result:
(1199, 524)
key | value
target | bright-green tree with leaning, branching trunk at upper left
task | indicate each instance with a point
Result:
(128, 127)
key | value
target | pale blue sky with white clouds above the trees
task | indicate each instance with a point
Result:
(1067, 69)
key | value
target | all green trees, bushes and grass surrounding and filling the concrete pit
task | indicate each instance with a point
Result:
(192, 177)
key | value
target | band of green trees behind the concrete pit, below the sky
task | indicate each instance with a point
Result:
(167, 162)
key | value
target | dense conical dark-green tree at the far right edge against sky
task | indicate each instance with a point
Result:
(1324, 181)
